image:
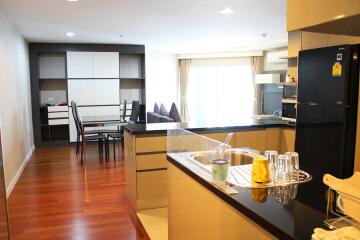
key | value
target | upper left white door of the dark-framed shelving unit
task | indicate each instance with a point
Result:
(80, 64)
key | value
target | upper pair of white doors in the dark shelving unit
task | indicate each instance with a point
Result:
(93, 64)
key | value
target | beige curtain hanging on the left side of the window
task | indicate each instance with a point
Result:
(184, 83)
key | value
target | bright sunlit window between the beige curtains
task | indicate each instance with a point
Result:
(220, 92)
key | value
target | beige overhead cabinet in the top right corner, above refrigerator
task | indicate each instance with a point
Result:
(305, 13)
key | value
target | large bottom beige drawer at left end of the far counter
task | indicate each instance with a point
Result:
(151, 185)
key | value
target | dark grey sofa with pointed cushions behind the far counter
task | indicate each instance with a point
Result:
(162, 115)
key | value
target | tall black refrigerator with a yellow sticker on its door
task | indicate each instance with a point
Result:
(327, 110)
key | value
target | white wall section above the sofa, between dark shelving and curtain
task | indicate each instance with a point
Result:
(161, 79)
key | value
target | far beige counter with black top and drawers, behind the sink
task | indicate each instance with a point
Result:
(146, 149)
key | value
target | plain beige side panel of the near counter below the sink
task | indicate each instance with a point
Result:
(197, 213)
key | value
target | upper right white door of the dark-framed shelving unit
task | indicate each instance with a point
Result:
(106, 65)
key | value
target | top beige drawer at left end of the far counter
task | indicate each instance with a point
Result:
(151, 144)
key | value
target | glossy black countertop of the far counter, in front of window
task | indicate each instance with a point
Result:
(161, 128)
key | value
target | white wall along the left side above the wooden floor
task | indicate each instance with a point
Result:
(15, 102)
